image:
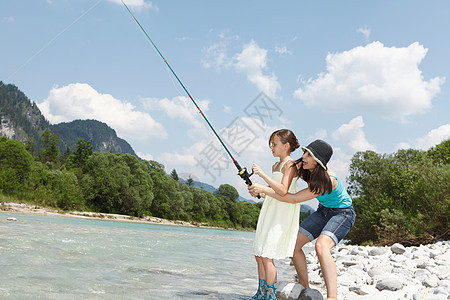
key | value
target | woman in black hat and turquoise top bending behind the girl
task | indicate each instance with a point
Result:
(333, 219)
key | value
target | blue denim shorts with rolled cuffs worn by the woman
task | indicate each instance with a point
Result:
(333, 222)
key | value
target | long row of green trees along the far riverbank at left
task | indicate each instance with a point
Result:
(86, 180)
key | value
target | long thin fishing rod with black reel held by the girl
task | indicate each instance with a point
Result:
(242, 172)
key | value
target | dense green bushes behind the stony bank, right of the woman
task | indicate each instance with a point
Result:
(401, 197)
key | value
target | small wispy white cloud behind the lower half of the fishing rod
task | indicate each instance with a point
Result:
(180, 108)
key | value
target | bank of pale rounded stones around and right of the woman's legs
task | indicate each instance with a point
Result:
(390, 273)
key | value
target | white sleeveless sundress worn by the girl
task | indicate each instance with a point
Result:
(277, 228)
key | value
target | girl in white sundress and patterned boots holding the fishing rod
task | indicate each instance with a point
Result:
(276, 231)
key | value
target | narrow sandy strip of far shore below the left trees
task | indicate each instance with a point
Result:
(24, 208)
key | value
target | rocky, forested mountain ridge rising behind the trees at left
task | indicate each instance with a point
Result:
(21, 119)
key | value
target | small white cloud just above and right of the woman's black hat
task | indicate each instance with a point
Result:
(353, 136)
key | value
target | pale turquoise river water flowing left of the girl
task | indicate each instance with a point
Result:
(67, 258)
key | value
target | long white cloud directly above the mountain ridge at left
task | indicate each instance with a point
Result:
(81, 101)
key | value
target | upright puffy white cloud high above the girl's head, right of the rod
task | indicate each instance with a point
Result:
(252, 61)
